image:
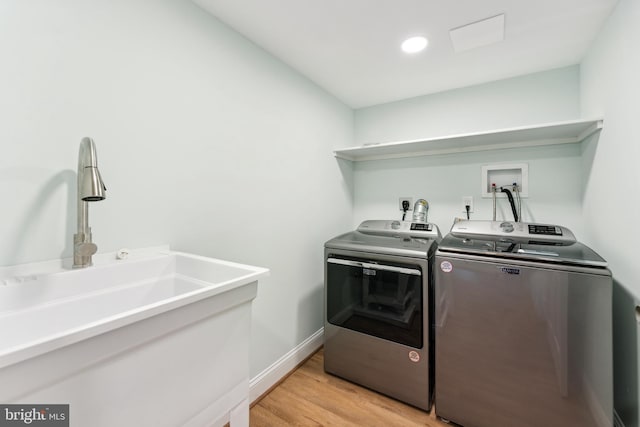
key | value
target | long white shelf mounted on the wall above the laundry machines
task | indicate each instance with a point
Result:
(566, 132)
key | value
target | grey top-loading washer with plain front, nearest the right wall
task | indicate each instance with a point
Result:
(523, 328)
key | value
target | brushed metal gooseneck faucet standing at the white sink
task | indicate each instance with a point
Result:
(90, 189)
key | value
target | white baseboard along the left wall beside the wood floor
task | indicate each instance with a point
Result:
(281, 367)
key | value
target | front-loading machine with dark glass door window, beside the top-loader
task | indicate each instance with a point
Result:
(379, 308)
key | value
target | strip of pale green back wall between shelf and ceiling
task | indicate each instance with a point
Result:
(537, 98)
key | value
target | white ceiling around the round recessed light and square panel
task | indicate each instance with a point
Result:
(351, 48)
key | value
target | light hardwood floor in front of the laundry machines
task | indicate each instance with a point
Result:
(311, 397)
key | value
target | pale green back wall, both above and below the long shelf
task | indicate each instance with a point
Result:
(554, 172)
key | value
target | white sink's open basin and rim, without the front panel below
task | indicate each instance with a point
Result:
(41, 311)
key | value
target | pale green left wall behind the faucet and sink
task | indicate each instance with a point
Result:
(205, 142)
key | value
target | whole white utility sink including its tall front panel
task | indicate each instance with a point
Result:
(139, 303)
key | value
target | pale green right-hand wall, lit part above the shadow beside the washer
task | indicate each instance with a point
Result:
(610, 87)
